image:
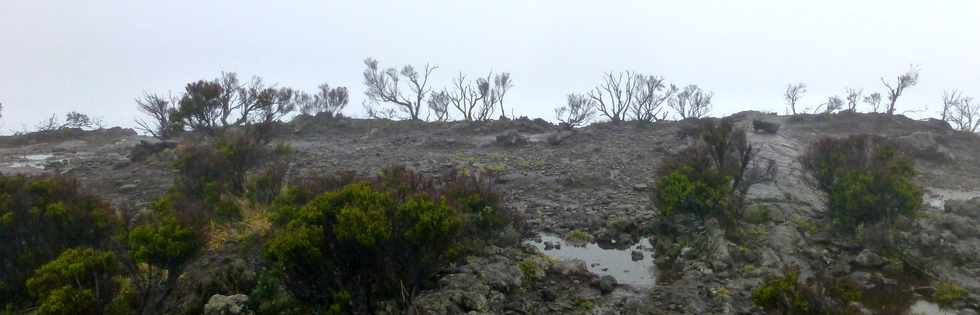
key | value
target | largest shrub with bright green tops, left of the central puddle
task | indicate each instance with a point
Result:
(377, 238)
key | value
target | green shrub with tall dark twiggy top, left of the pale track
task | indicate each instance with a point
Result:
(712, 177)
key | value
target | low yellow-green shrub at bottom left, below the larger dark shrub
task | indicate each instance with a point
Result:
(79, 281)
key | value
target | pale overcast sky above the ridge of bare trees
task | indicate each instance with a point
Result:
(97, 56)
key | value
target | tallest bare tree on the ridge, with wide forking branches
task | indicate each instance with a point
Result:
(383, 87)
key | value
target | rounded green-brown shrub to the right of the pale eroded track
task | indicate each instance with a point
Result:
(867, 180)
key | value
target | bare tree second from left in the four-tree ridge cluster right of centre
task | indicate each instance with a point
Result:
(615, 94)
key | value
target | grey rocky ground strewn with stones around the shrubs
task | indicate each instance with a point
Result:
(596, 180)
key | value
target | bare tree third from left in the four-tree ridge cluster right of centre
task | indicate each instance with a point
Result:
(652, 92)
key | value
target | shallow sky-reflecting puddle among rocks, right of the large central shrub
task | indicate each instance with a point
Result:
(616, 262)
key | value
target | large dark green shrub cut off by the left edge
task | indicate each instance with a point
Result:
(40, 218)
